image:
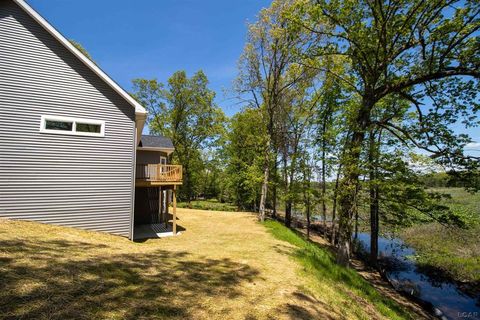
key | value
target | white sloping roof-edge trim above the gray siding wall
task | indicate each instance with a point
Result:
(139, 110)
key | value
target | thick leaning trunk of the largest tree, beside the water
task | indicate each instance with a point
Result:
(350, 183)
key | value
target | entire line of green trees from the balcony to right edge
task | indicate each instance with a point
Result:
(347, 105)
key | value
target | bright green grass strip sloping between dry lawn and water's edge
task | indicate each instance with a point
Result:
(323, 274)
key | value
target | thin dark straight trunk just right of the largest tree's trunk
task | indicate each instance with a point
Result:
(374, 202)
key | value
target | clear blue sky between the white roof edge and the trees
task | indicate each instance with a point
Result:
(153, 39)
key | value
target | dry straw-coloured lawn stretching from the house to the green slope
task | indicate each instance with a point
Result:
(223, 266)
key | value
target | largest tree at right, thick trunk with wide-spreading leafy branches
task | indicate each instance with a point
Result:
(419, 51)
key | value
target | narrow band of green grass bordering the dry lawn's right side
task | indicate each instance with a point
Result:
(319, 262)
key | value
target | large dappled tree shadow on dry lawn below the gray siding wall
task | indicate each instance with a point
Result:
(70, 280)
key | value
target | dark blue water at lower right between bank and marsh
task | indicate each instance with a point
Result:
(445, 296)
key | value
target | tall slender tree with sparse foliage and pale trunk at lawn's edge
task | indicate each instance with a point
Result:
(268, 67)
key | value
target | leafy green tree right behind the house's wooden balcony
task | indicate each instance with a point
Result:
(184, 111)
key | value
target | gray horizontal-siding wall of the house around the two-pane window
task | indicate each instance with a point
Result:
(68, 180)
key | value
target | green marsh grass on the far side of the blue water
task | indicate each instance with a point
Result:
(454, 252)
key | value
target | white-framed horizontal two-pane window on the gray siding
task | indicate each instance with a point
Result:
(72, 126)
